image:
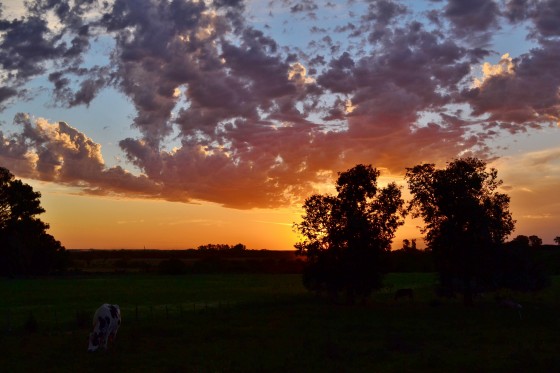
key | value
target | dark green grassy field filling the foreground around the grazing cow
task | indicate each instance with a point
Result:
(268, 323)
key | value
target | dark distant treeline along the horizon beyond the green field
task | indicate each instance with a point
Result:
(218, 259)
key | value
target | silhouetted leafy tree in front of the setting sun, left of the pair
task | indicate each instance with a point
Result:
(345, 237)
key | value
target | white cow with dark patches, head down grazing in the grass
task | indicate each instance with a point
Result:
(106, 322)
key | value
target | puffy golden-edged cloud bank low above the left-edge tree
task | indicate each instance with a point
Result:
(59, 153)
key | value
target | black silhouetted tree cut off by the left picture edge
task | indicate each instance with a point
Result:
(25, 247)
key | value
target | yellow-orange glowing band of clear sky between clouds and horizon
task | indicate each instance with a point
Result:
(94, 222)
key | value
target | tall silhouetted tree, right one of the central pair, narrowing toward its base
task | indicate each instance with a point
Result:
(466, 220)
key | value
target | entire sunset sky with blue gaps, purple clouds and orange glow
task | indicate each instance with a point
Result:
(171, 124)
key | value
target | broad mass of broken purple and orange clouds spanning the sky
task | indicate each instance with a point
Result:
(260, 122)
